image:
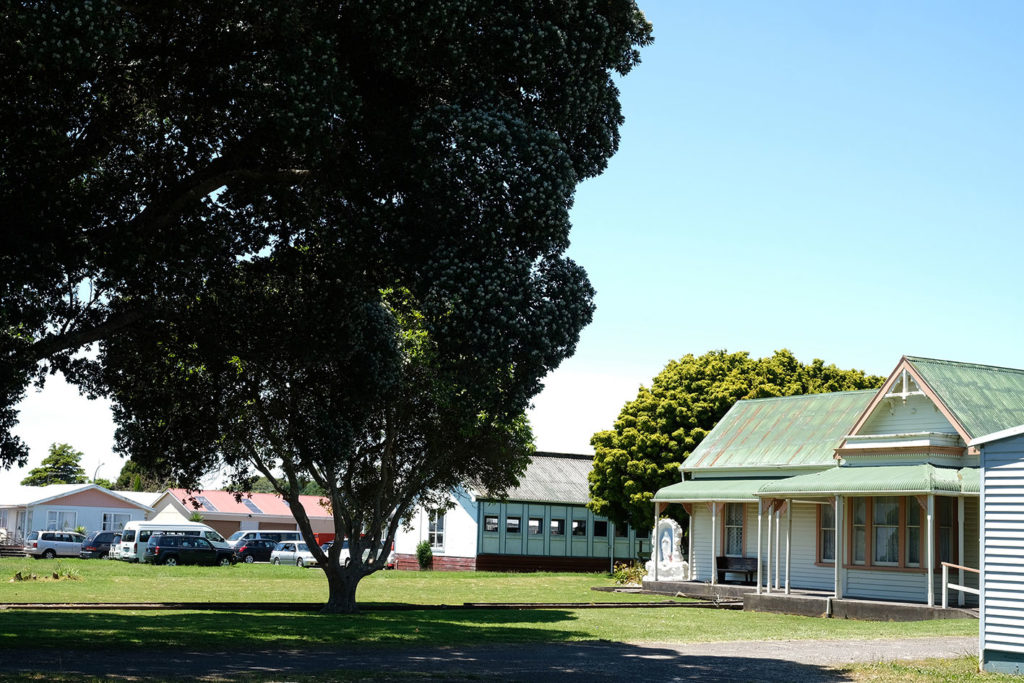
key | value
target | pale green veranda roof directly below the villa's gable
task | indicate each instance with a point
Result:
(904, 480)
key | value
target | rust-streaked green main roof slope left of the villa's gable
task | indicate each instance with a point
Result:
(784, 432)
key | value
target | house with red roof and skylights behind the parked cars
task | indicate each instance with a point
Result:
(253, 511)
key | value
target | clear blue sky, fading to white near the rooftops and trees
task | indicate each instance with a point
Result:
(841, 180)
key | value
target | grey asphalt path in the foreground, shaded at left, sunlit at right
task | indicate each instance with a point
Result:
(739, 661)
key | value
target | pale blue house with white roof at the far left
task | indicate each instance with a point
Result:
(68, 506)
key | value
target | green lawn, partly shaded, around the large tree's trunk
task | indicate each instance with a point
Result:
(101, 581)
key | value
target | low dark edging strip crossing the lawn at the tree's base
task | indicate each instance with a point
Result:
(310, 607)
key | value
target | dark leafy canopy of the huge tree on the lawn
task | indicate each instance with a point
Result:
(245, 187)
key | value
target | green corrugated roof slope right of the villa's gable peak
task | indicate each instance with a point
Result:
(984, 399)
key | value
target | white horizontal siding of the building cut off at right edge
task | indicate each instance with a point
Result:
(1003, 546)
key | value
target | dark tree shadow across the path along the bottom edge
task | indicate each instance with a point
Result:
(545, 662)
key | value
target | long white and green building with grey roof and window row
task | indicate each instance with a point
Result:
(543, 525)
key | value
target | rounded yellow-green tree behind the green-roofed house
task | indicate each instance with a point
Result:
(665, 423)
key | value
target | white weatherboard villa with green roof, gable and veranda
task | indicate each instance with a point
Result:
(855, 495)
